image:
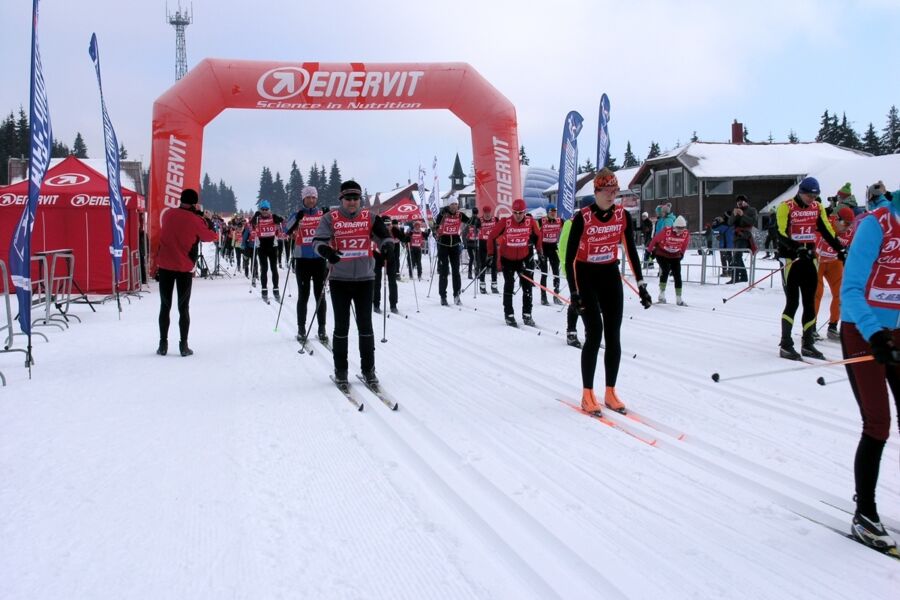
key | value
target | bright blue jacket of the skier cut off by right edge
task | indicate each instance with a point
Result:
(864, 249)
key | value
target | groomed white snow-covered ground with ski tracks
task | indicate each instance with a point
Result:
(241, 472)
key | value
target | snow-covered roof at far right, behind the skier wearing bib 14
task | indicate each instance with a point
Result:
(861, 173)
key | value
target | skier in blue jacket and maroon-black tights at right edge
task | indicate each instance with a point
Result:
(871, 325)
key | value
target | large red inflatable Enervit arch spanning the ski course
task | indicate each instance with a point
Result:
(180, 114)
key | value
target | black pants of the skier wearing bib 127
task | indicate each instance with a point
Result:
(359, 293)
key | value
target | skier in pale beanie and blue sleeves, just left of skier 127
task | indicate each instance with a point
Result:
(308, 264)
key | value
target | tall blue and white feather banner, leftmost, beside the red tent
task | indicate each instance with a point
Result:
(41, 141)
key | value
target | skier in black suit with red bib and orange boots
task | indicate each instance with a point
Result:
(592, 259)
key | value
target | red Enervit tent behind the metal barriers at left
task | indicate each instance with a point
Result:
(73, 212)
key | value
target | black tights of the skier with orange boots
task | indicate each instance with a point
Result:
(600, 287)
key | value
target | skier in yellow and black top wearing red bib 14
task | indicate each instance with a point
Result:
(798, 221)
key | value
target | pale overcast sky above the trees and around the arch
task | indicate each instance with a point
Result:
(669, 68)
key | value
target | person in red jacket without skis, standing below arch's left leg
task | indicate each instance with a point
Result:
(179, 236)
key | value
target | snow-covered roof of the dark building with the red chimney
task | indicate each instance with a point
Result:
(707, 160)
